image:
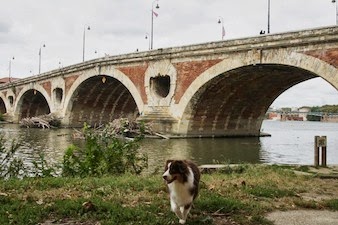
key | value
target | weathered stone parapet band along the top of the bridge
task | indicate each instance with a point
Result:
(306, 38)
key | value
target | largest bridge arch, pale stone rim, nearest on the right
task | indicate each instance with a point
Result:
(232, 97)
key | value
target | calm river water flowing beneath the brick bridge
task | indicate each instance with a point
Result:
(291, 142)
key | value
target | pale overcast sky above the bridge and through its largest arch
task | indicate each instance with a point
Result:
(120, 26)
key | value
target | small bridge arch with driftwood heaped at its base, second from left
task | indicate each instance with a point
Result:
(32, 100)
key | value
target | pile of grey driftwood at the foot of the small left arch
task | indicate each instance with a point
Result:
(43, 121)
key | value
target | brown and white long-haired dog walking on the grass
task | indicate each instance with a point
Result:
(182, 178)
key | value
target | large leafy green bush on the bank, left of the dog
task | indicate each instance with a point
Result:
(103, 153)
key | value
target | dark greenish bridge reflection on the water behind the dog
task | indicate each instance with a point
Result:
(203, 150)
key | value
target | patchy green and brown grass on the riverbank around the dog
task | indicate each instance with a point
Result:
(241, 196)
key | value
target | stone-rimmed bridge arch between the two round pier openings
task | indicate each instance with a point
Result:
(101, 95)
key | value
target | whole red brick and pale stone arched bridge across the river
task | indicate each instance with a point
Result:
(219, 88)
